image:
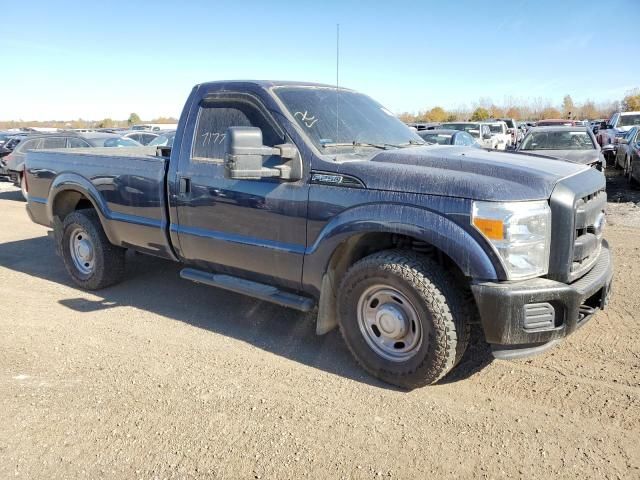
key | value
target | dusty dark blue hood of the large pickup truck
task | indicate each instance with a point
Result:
(465, 172)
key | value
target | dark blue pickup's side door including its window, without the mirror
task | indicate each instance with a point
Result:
(254, 229)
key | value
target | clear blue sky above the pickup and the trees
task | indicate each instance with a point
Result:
(65, 60)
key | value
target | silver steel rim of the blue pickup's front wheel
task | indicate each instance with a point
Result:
(389, 323)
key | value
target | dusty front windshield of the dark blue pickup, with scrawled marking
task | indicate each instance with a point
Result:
(338, 120)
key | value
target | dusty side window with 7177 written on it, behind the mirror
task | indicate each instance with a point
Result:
(217, 115)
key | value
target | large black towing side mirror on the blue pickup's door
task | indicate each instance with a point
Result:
(245, 156)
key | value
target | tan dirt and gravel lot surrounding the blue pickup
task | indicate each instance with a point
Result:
(161, 378)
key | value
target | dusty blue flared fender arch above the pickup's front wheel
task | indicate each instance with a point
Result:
(420, 223)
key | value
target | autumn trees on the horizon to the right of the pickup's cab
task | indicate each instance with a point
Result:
(535, 109)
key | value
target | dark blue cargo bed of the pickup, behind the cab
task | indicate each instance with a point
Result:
(127, 186)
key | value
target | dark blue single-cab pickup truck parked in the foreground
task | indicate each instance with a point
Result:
(314, 197)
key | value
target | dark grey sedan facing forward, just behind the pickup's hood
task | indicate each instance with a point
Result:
(576, 144)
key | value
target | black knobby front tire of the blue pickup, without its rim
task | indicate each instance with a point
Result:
(442, 309)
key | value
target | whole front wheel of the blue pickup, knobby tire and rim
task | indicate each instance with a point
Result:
(403, 318)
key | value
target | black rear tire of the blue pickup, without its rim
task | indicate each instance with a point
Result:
(107, 260)
